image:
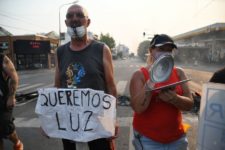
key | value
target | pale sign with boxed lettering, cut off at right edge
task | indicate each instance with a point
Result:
(211, 134)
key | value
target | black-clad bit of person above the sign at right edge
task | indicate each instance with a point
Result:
(218, 76)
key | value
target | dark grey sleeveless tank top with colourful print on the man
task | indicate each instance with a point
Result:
(82, 69)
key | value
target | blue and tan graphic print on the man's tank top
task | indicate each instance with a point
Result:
(74, 74)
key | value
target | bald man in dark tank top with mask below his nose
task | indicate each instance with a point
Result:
(84, 63)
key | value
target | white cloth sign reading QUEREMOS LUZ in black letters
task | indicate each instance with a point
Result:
(77, 114)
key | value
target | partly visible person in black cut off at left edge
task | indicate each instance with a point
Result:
(8, 86)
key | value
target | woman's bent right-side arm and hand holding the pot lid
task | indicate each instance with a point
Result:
(183, 102)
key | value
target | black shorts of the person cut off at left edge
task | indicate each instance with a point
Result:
(7, 126)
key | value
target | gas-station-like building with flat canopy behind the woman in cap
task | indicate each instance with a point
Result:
(203, 45)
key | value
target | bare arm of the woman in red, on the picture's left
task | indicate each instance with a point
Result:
(140, 99)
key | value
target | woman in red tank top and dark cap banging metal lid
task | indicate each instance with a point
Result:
(157, 121)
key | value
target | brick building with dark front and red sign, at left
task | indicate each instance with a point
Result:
(30, 51)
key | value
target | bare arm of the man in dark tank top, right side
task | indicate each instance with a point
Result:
(108, 70)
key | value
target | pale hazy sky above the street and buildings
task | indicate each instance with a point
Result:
(124, 20)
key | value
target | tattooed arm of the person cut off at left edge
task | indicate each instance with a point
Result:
(10, 71)
